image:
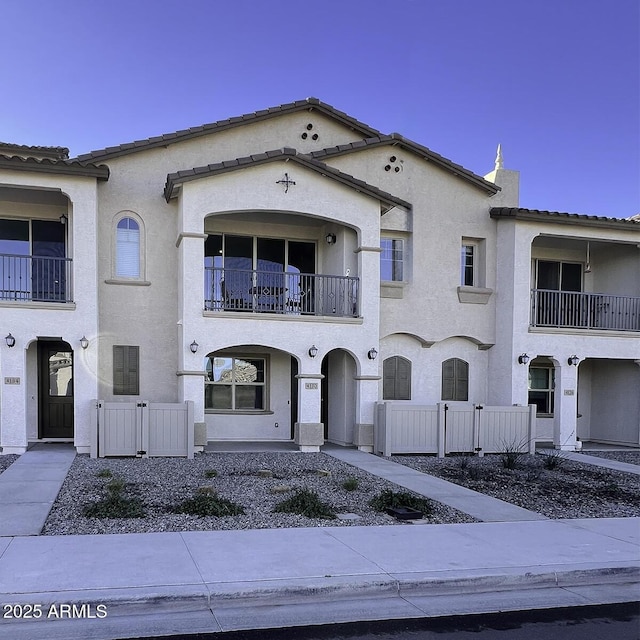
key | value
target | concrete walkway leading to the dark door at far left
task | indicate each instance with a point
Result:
(29, 487)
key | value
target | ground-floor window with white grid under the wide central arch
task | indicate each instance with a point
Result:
(235, 383)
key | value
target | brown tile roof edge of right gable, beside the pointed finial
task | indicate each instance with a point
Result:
(395, 139)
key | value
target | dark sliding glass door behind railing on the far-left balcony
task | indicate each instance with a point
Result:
(33, 262)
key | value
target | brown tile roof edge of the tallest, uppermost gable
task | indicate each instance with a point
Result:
(310, 104)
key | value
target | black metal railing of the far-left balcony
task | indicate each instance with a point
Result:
(35, 278)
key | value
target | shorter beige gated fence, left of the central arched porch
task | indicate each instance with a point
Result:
(143, 429)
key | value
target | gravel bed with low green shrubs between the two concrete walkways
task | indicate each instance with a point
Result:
(162, 483)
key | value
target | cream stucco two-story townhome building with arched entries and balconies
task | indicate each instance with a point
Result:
(287, 270)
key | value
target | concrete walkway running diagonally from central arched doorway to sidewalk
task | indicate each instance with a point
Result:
(478, 505)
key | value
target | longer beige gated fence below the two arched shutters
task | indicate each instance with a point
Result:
(444, 428)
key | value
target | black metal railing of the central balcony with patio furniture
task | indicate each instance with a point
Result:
(280, 292)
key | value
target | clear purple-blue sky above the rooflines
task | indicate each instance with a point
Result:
(556, 82)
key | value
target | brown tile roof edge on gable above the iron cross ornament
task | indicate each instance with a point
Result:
(291, 155)
